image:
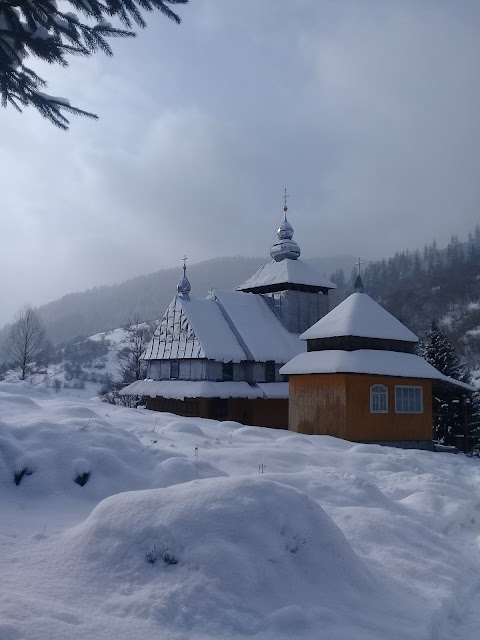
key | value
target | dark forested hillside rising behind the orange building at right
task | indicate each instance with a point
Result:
(433, 284)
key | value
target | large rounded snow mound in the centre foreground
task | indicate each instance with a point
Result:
(239, 554)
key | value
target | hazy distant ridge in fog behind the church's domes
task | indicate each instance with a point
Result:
(108, 307)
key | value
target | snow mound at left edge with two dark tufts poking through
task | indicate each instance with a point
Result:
(74, 453)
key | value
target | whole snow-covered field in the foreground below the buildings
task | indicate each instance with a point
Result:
(177, 534)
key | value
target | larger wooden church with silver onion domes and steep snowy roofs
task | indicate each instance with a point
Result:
(220, 357)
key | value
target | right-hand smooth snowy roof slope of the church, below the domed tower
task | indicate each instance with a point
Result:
(257, 328)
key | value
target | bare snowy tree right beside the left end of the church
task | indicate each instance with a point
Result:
(130, 364)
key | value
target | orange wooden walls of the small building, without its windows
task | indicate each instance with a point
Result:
(339, 405)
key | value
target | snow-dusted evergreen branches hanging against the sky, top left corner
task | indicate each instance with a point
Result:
(39, 28)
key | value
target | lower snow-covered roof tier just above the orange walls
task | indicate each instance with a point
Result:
(367, 361)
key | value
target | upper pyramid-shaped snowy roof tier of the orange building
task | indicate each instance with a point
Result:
(359, 316)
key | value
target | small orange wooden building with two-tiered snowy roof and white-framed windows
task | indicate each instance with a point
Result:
(360, 379)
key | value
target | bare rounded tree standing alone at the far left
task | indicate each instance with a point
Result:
(25, 339)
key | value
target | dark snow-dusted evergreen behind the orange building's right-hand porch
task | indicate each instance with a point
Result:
(448, 409)
